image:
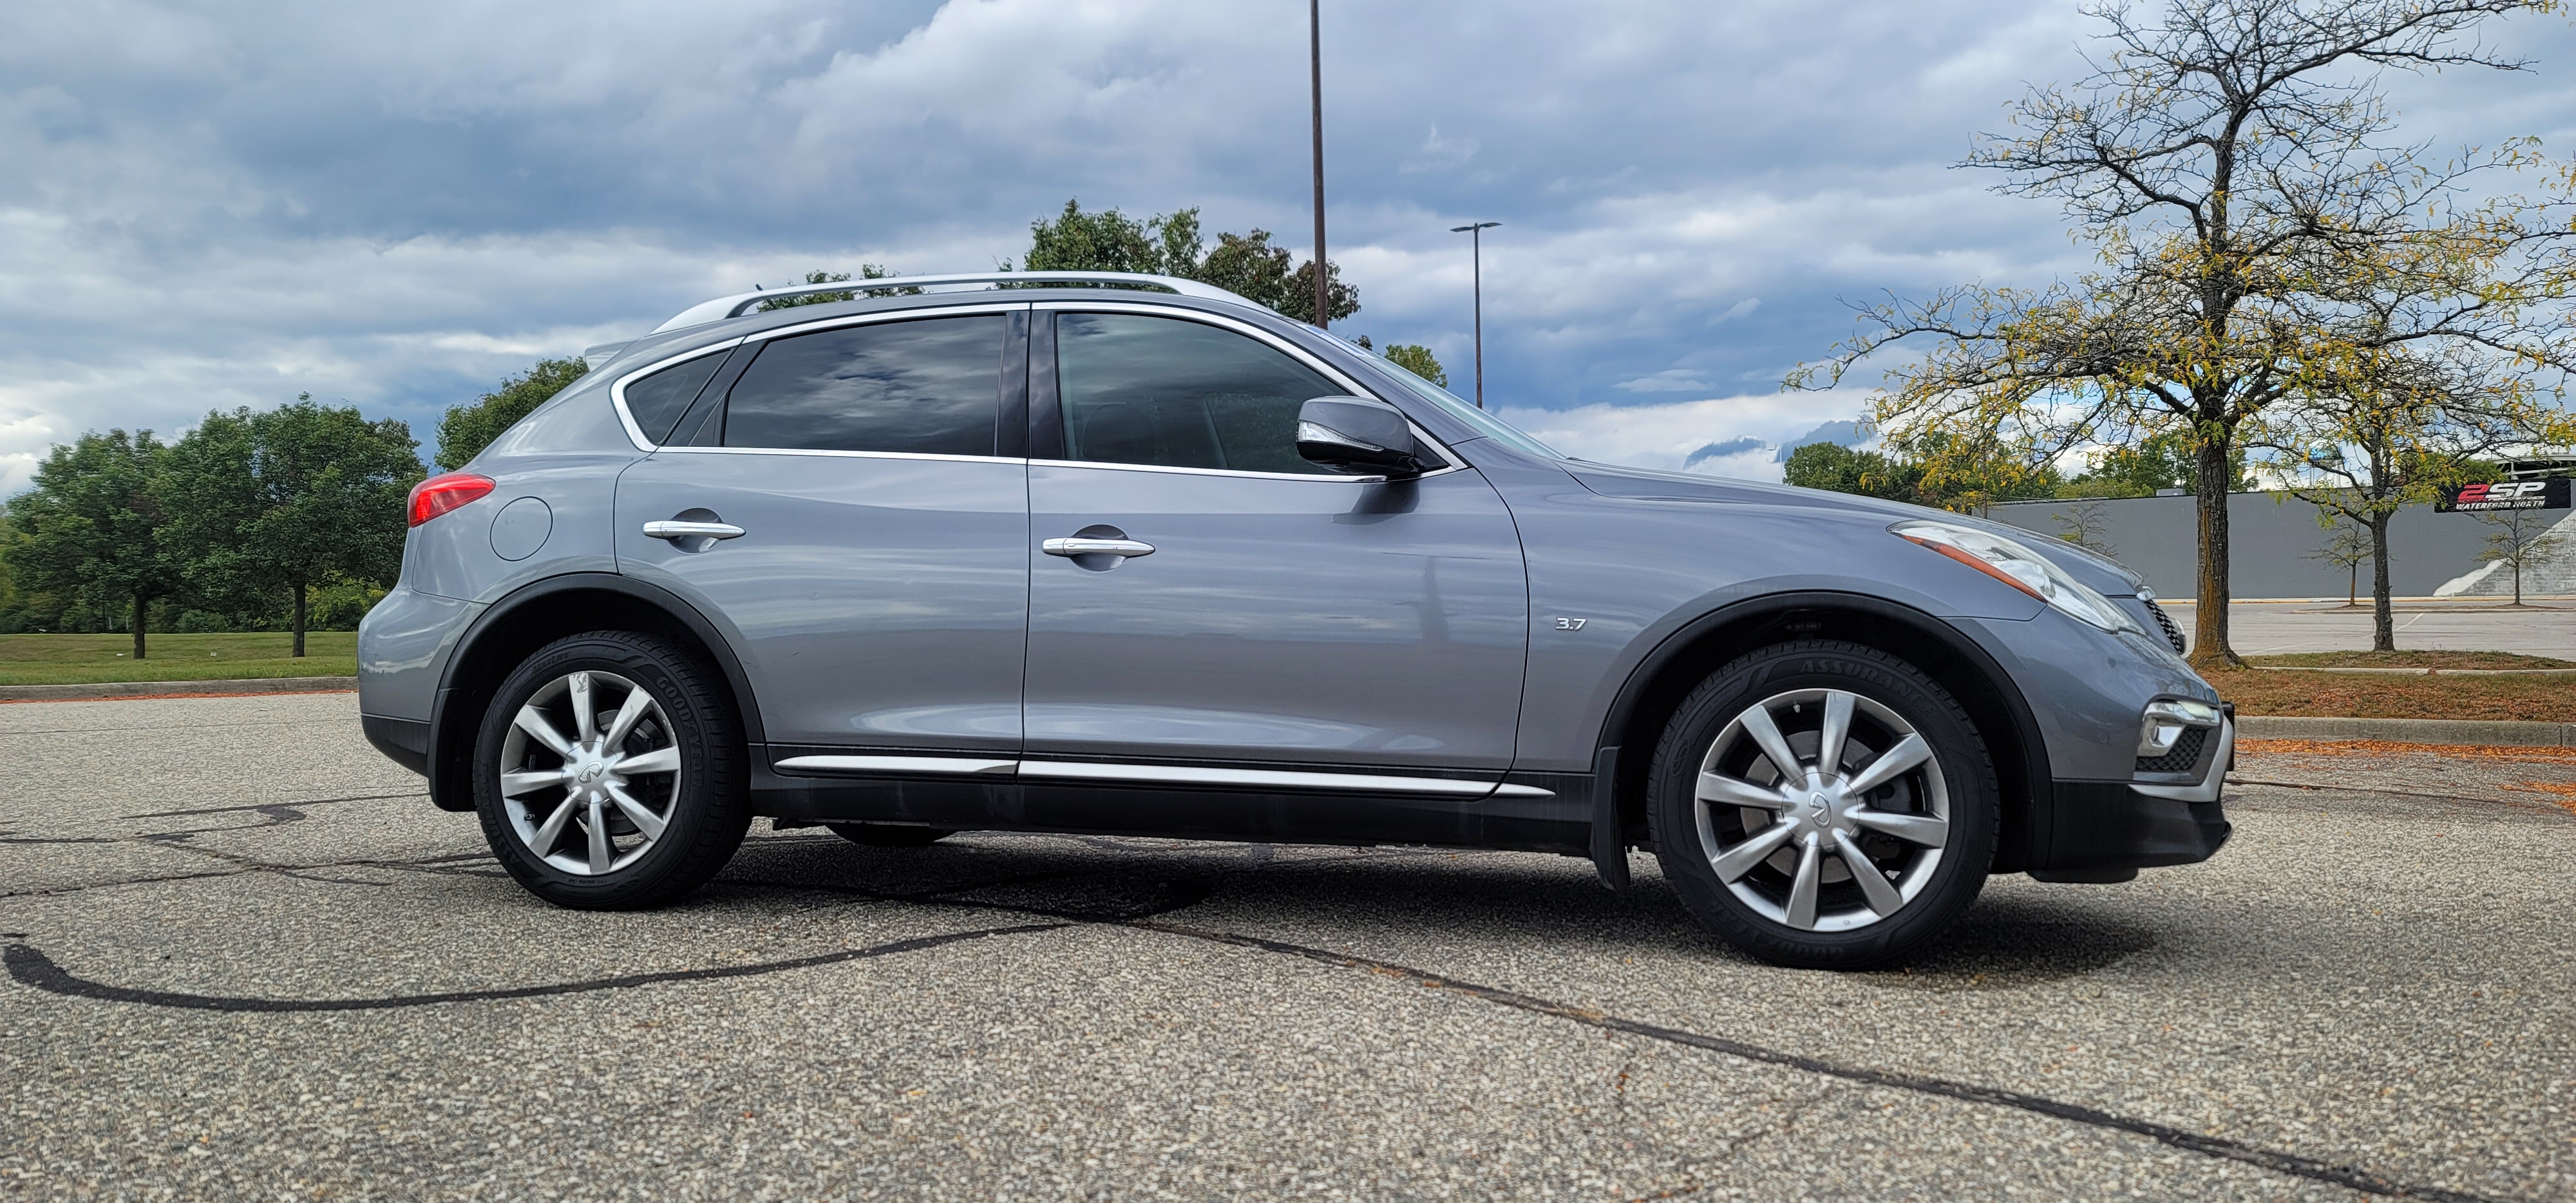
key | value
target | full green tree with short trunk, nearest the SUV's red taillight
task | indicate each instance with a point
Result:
(274, 504)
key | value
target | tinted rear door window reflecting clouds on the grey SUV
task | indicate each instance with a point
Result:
(923, 388)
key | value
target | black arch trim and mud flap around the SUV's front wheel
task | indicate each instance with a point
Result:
(2036, 782)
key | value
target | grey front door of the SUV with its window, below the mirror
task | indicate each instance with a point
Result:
(1284, 612)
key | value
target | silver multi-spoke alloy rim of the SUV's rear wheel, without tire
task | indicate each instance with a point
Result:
(599, 800)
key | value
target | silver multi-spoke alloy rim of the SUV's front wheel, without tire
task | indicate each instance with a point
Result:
(1823, 810)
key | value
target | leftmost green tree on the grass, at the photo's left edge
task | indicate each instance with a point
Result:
(94, 527)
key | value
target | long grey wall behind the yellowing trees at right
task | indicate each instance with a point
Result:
(2271, 540)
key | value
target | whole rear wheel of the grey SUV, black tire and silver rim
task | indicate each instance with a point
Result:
(578, 828)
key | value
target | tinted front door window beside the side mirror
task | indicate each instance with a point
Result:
(1155, 390)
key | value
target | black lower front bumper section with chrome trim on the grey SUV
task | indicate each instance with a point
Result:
(2108, 831)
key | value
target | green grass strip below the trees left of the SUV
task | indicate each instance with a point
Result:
(84, 658)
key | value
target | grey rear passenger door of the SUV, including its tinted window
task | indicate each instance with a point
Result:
(875, 470)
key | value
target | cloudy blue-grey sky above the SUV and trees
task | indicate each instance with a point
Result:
(215, 205)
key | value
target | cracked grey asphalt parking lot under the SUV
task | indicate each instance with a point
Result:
(246, 960)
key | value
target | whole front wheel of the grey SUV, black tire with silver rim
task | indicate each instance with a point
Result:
(1758, 867)
